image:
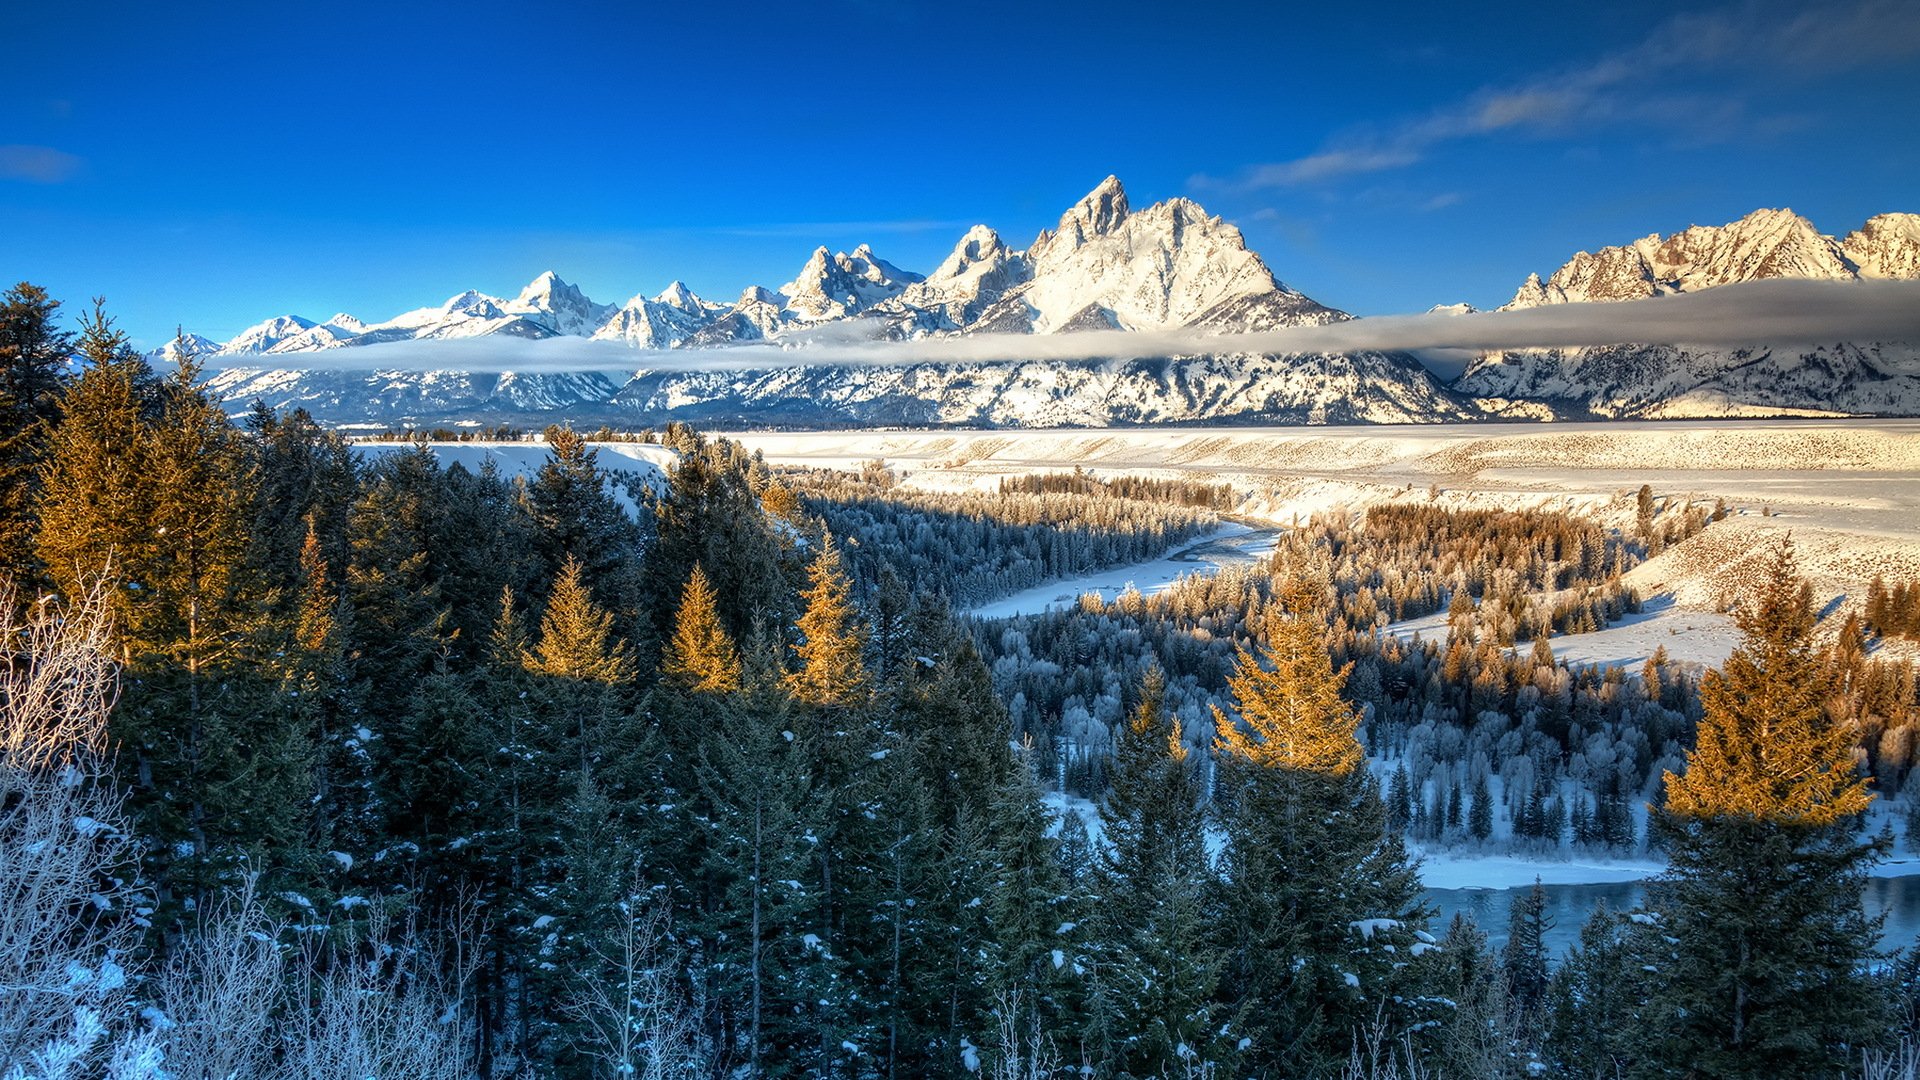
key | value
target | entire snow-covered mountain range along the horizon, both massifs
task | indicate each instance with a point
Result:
(1103, 268)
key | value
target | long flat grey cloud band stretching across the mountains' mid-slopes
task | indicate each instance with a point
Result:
(1735, 316)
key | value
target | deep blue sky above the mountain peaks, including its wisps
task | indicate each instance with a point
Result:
(216, 164)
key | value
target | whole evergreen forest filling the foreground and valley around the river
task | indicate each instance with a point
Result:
(354, 766)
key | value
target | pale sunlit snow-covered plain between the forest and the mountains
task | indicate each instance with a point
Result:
(1846, 491)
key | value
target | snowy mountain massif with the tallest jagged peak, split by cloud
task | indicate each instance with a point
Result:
(1103, 268)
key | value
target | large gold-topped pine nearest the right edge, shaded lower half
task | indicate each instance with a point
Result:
(1765, 964)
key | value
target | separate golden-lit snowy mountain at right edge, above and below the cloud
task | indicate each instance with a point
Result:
(1669, 381)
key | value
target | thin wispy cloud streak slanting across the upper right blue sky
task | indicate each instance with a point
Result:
(1627, 87)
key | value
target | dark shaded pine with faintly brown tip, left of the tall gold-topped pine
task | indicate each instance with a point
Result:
(1161, 968)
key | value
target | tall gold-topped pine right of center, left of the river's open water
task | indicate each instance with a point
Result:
(1322, 902)
